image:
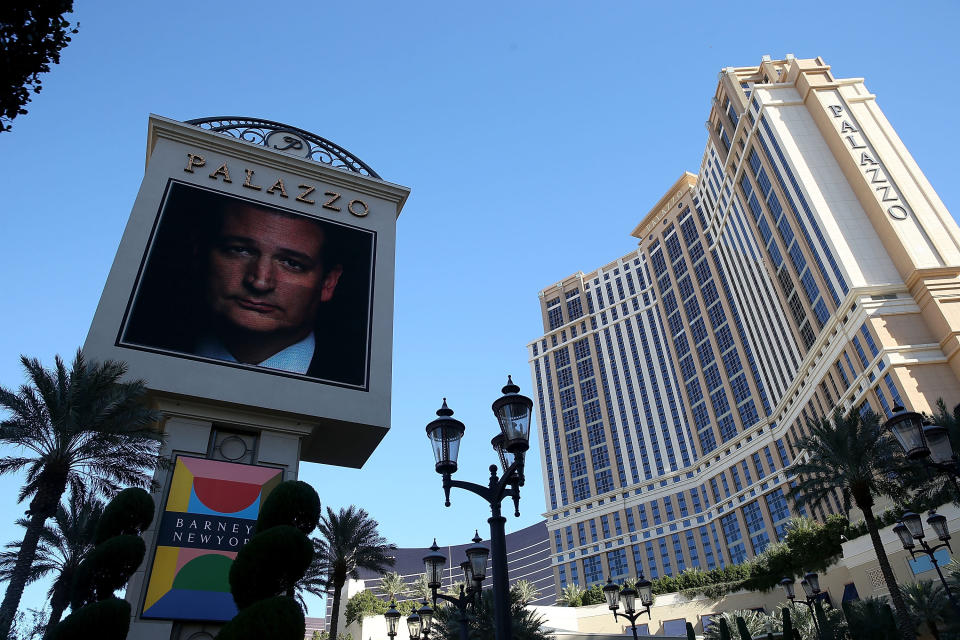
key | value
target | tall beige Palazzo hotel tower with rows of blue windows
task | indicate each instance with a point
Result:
(809, 266)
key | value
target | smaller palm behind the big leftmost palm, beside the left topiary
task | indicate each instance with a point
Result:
(61, 548)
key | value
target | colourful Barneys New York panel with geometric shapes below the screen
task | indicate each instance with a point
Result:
(210, 513)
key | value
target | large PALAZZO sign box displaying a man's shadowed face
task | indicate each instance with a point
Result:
(255, 286)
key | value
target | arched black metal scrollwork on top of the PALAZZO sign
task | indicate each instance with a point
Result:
(282, 137)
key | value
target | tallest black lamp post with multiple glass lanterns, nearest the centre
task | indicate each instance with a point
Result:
(513, 412)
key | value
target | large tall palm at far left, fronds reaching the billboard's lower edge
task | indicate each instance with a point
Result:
(80, 426)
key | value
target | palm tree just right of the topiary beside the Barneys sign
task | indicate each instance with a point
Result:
(348, 541)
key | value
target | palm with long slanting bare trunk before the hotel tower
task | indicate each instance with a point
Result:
(854, 454)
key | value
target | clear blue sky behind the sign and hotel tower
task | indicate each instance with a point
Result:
(534, 137)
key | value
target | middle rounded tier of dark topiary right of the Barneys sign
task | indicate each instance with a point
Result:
(271, 563)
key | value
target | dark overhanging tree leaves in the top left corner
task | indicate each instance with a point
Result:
(32, 35)
